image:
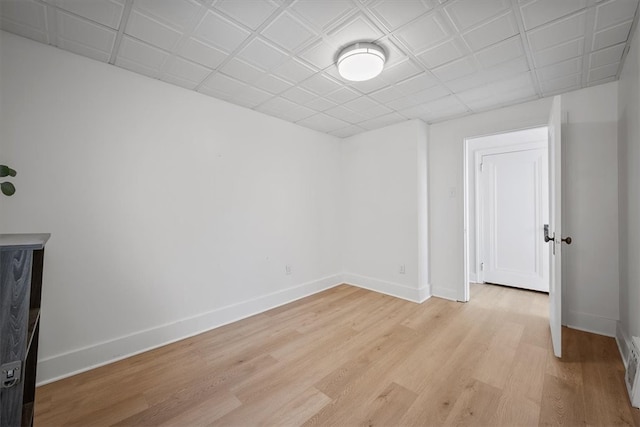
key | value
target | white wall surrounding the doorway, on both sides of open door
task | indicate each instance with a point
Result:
(590, 273)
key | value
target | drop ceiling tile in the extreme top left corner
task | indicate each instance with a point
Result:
(25, 18)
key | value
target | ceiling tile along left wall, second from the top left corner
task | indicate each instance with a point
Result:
(84, 37)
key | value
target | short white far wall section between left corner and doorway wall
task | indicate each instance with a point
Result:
(385, 210)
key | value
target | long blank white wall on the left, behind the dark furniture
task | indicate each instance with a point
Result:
(170, 212)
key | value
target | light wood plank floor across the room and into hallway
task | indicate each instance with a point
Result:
(349, 356)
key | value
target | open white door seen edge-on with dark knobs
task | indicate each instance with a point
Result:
(555, 225)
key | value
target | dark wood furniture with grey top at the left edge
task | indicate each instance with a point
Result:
(21, 263)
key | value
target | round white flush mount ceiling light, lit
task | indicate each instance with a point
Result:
(361, 61)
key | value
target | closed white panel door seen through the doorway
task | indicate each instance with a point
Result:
(514, 209)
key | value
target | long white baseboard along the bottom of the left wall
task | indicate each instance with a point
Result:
(90, 357)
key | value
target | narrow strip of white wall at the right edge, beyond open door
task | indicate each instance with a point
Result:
(629, 191)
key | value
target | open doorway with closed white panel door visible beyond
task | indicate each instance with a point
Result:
(506, 207)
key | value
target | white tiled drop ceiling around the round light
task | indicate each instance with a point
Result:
(446, 58)
